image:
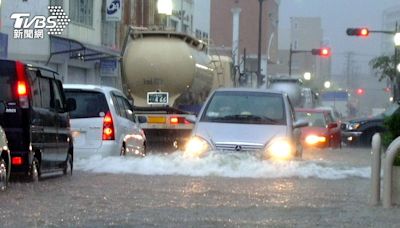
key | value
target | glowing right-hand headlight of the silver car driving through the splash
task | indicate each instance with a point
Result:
(280, 149)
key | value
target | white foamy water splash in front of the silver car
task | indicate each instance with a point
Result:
(216, 164)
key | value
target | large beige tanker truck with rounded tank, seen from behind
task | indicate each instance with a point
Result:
(168, 75)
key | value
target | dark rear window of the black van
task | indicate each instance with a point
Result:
(7, 75)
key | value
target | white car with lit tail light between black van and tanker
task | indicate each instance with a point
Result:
(104, 122)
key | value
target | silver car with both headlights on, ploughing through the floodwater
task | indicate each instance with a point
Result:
(247, 120)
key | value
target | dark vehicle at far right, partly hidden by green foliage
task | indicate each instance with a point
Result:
(359, 132)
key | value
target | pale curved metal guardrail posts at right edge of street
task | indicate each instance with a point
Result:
(390, 154)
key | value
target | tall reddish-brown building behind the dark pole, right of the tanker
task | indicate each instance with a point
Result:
(234, 32)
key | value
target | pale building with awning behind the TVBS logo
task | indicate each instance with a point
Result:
(86, 51)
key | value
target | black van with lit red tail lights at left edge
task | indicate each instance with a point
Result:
(36, 119)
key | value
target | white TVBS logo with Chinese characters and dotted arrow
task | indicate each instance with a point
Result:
(27, 27)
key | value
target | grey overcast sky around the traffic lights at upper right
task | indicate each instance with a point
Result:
(336, 16)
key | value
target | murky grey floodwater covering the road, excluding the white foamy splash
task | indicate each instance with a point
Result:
(89, 199)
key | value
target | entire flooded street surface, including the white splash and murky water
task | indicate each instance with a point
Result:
(328, 188)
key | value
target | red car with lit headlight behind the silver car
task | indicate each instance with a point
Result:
(323, 130)
